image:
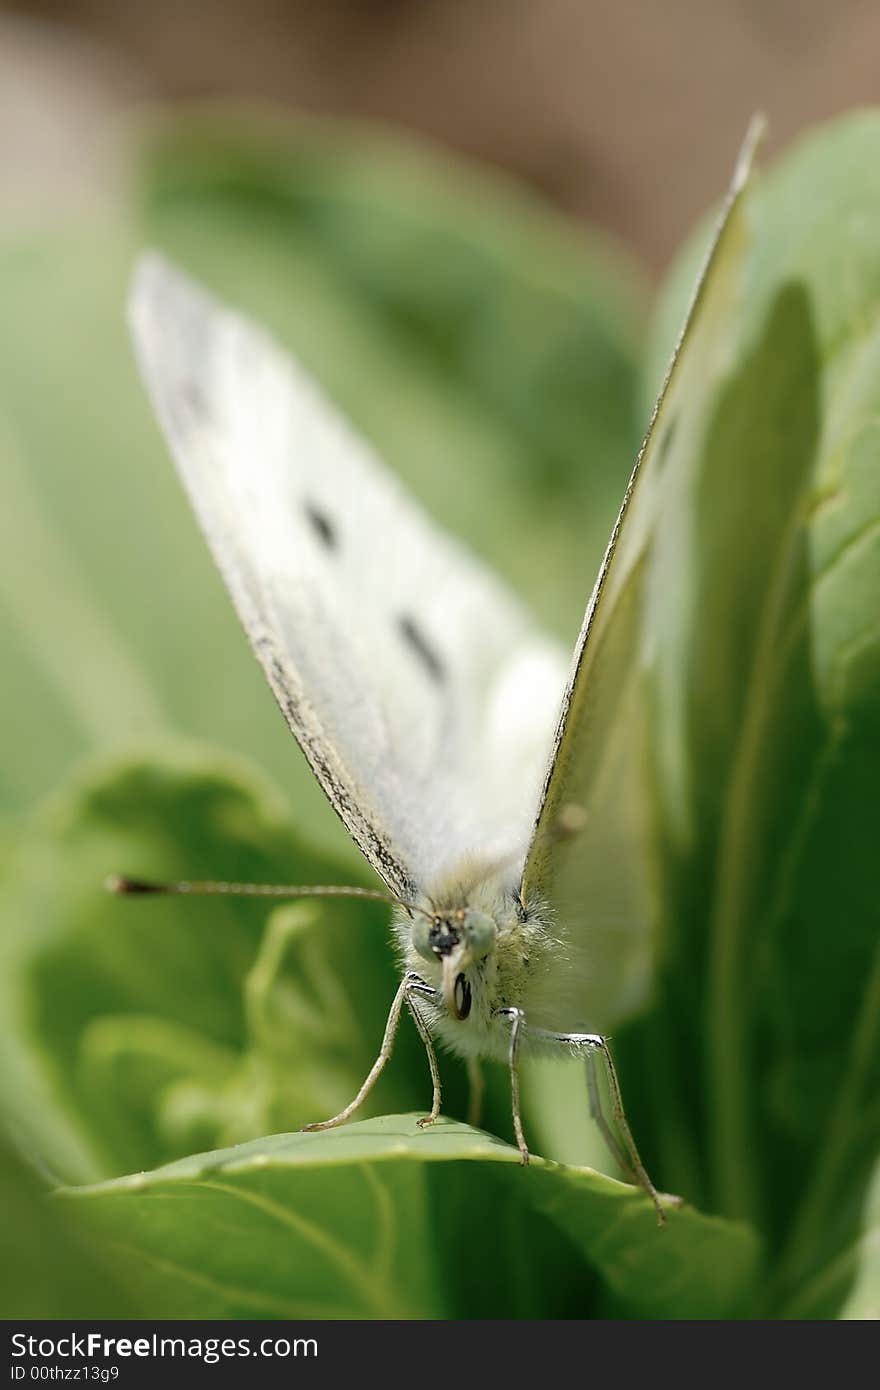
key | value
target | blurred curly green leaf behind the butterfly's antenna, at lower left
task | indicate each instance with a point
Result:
(141, 1029)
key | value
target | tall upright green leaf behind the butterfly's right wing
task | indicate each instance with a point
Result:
(763, 1053)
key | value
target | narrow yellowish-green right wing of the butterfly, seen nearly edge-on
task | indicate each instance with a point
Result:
(590, 857)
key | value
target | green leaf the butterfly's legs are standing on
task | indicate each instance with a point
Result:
(387, 1221)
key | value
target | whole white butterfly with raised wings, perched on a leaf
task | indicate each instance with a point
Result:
(504, 806)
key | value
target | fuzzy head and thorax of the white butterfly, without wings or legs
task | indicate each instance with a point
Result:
(475, 945)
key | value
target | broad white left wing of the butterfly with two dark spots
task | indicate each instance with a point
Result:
(421, 693)
